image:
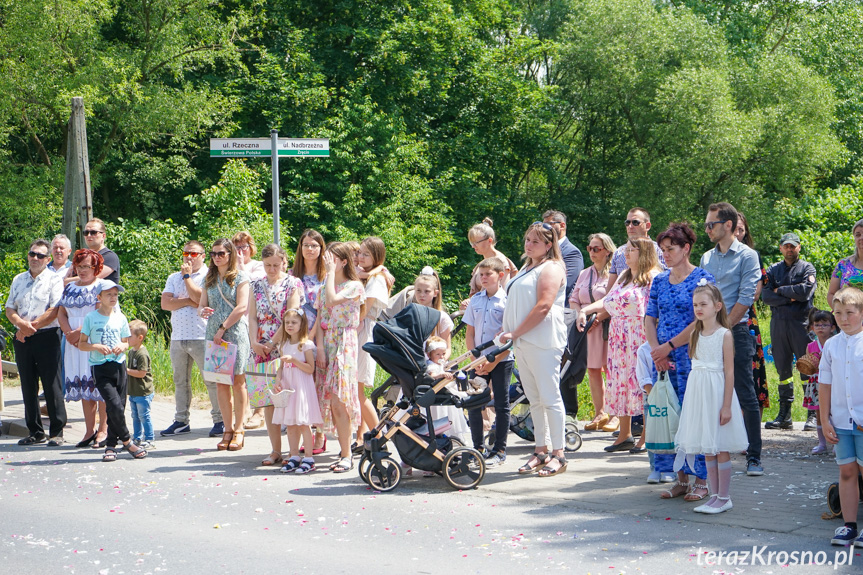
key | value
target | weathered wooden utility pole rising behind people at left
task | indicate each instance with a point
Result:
(77, 195)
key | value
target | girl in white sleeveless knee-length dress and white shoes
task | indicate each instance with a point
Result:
(710, 419)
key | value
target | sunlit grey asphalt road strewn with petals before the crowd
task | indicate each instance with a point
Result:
(189, 509)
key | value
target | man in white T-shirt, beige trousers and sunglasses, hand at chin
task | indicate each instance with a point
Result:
(180, 297)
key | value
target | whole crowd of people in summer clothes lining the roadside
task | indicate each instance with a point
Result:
(653, 312)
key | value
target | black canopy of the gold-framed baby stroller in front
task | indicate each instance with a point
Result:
(399, 341)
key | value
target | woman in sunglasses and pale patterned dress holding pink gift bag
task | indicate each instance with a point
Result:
(223, 304)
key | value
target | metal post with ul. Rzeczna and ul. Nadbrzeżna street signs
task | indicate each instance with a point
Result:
(263, 147)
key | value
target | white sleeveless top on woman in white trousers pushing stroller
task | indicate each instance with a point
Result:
(521, 297)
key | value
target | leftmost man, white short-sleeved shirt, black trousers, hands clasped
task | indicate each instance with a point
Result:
(32, 309)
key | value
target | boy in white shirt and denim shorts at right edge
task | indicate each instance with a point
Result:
(840, 388)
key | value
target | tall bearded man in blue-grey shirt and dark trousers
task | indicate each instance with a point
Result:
(735, 267)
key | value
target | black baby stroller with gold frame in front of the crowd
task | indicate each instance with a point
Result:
(420, 440)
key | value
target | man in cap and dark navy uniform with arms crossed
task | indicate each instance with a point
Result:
(789, 291)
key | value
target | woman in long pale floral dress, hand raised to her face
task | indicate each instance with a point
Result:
(339, 306)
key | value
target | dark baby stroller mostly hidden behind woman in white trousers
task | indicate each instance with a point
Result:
(572, 370)
